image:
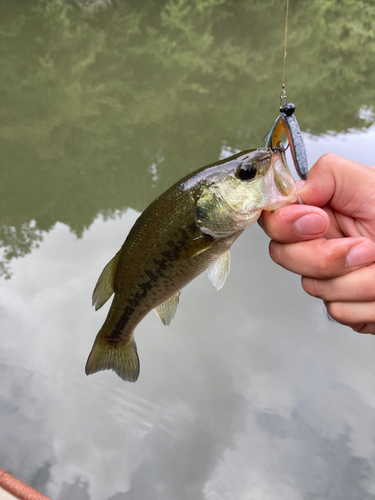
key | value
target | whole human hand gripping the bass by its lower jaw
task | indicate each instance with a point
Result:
(330, 240)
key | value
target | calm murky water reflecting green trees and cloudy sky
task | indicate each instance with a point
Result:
(250, 394)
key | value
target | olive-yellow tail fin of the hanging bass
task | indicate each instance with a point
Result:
(120, 357)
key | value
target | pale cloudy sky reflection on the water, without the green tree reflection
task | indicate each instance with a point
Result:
(251, 393)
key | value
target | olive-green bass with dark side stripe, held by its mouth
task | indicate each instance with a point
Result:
(186, 230)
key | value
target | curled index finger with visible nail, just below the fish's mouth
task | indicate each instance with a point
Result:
(295, 223)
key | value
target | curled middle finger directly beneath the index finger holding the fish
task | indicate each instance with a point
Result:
(323, 259)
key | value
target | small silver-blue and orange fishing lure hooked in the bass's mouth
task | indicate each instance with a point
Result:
(288, 122)
